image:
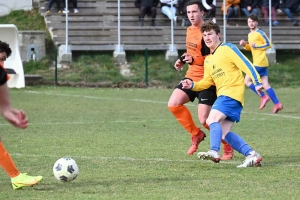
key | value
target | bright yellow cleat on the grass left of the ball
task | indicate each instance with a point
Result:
(24, 180)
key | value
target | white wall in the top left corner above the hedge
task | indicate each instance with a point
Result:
(6, 6)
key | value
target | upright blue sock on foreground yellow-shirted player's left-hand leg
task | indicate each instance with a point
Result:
(215, 136)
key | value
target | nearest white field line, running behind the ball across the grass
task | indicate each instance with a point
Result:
(144, 160)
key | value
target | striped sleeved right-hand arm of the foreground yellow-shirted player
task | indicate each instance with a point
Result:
(243, 63)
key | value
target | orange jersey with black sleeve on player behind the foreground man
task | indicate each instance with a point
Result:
(196, 47)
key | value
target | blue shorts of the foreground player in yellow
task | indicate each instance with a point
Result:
(229, 107)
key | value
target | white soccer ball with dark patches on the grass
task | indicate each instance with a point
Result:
(65, 169)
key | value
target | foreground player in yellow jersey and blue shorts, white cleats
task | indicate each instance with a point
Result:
(224, 67)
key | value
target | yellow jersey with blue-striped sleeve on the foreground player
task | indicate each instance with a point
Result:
(224, 68)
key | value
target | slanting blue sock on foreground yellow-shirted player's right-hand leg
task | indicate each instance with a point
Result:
(237, 143)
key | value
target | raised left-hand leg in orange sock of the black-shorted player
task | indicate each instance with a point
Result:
(176, 105)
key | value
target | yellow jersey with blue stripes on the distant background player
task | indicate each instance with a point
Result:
(262, 43)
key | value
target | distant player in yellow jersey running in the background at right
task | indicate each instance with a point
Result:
(258, 43)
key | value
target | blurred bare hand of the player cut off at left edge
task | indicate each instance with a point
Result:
(16, 117)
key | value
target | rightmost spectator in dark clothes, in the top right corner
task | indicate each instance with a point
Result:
(289, 7)
